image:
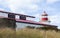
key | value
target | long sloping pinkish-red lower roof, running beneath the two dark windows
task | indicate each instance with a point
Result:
(29, 21)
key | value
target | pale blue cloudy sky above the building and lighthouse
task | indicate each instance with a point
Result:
(34, 8)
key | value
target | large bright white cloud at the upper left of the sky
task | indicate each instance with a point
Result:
(21, 5)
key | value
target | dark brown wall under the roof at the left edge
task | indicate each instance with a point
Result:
(7, 23)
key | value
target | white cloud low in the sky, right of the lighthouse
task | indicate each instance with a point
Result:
(55, 19)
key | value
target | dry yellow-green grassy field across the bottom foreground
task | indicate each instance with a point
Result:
(28, 33)
